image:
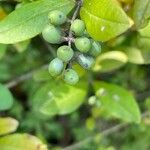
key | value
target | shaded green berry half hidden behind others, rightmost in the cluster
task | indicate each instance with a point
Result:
(95, 49)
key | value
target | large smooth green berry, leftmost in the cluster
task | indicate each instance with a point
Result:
(52, 34)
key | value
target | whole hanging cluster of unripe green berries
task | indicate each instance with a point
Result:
(83, 51)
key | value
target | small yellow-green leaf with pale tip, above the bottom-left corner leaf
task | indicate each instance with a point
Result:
(8, 125)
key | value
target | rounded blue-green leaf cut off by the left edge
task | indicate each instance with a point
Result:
(6, 99)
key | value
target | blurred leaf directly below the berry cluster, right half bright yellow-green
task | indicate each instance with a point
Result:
(59, 98)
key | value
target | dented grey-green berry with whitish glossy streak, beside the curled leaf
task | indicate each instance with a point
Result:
(85, 61)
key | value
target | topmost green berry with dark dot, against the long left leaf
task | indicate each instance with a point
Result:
(57, 17)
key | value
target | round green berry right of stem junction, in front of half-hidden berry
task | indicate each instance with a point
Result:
(83, 44)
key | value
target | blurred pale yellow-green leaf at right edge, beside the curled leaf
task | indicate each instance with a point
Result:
(137, 56)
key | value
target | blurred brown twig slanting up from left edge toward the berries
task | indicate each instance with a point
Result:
(24, 77)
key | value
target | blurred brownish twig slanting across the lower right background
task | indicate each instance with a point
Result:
(103, 133)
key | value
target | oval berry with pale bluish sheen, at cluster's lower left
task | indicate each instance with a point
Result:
(55, 67)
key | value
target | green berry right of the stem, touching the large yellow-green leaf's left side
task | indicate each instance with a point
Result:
(78, 27)
